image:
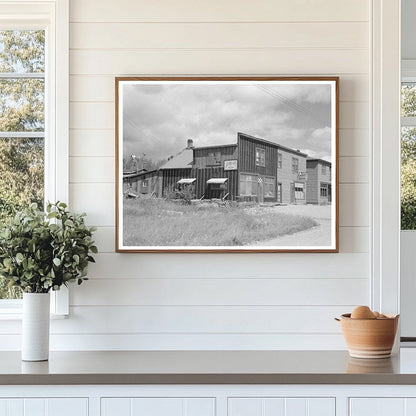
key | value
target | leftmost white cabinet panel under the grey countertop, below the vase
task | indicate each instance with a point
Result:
(44, 407)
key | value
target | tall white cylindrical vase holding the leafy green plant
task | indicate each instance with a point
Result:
(35, 326)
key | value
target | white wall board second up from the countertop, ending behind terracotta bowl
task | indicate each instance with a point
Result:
(200, 319)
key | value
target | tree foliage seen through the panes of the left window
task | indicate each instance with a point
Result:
(21, 110)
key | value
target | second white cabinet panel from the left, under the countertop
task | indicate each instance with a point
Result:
(146, 406)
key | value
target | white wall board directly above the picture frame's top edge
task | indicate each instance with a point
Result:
(220, 62)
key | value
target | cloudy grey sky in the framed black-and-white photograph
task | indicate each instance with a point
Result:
(158, 119)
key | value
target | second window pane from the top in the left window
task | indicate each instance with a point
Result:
(22, 105)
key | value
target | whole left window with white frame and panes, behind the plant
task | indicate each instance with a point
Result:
(33, 113)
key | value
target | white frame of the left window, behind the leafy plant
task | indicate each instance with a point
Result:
(53, 17)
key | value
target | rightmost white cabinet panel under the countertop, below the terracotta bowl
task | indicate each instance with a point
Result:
(382, 406)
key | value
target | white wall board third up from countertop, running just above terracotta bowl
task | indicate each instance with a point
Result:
(221, 291)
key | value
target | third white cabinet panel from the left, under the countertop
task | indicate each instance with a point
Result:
(270, 406)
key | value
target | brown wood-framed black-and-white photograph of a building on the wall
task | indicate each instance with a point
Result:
(227, 164)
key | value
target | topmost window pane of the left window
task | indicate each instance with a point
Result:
(22, 51)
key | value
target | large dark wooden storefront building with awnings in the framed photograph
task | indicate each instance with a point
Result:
(253, 169)
